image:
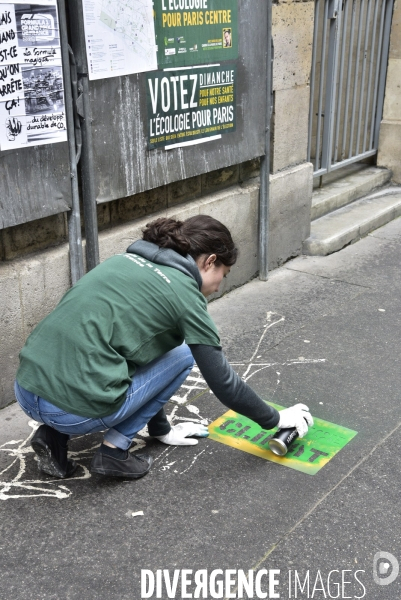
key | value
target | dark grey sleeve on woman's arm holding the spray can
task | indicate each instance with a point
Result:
(230, 389)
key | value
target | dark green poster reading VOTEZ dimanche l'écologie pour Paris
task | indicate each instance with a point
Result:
(190, 104)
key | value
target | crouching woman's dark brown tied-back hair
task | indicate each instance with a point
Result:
(195, 236)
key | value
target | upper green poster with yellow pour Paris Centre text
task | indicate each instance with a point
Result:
(193, 32)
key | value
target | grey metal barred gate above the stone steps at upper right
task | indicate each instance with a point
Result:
(349, 64)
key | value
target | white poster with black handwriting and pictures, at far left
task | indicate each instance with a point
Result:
(32, 108)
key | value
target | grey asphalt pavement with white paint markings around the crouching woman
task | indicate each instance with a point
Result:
(322, 330)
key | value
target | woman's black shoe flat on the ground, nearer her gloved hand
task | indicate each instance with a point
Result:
(132, 466)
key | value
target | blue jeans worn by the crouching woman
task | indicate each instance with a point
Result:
(152, 386)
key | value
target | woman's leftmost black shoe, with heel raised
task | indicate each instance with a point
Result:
(50, 447)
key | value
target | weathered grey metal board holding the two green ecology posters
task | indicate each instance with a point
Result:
(136, 144)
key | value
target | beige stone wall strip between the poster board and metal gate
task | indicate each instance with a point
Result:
(292, 176)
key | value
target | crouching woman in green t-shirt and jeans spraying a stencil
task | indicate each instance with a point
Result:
(122, 341)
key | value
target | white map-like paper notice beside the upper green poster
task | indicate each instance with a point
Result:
(120, 37)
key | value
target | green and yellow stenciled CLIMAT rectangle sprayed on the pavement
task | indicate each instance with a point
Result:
(308, 454)
